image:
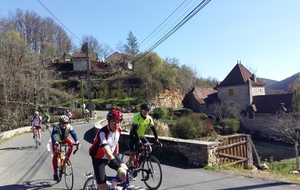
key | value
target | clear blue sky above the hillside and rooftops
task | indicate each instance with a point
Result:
(263, 34)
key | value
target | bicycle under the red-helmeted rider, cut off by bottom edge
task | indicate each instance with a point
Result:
(112, 182)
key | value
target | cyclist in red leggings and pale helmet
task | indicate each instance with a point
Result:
(60, 135)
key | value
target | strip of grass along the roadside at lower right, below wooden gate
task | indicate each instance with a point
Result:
(279, 170)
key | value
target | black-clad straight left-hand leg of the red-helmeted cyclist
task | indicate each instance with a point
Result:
(99, 172)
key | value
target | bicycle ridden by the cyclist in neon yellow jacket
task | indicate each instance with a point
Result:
(146, 163)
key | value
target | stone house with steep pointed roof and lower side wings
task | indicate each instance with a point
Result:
(243, 93)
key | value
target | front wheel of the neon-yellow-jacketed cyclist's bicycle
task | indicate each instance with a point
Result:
(155, 177)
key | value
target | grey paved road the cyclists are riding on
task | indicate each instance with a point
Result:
(24, 167)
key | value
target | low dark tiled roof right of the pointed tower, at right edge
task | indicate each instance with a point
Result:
(271, 104)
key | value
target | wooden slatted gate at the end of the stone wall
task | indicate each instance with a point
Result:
(236, 150)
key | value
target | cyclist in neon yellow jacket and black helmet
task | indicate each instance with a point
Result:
(141, 122)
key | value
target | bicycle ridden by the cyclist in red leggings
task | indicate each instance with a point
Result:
(64, 165)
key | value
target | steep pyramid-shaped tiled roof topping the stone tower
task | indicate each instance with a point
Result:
(239, 75)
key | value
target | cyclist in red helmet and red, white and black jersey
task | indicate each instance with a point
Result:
(105, 149)
